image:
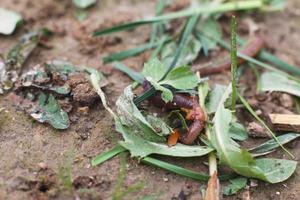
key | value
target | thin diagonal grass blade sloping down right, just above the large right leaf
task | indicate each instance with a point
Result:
(252, 112)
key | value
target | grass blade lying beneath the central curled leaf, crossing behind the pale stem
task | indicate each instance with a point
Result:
(182, 171)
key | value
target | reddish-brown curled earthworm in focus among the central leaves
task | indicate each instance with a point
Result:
(187, 104)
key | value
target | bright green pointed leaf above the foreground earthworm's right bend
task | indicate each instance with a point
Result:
(181, 78)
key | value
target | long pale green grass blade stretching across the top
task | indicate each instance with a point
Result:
(225, 7)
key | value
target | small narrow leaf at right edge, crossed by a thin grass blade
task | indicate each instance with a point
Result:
(272, 144)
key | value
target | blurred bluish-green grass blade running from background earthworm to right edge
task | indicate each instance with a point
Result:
(268, 57)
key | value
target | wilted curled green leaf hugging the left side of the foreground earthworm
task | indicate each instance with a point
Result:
(141, 138)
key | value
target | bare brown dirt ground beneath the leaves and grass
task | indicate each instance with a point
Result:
(34, 156)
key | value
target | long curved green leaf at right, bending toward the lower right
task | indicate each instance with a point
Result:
(240, 160)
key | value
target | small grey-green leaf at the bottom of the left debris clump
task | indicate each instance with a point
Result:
(49, 111)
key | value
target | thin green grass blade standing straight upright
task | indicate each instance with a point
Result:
(233, 53)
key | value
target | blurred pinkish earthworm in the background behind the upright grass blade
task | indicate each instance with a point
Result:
(251, 49)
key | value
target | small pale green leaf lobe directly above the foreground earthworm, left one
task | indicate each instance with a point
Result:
(155, 69)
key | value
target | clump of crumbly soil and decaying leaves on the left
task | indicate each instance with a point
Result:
(49, 93)
